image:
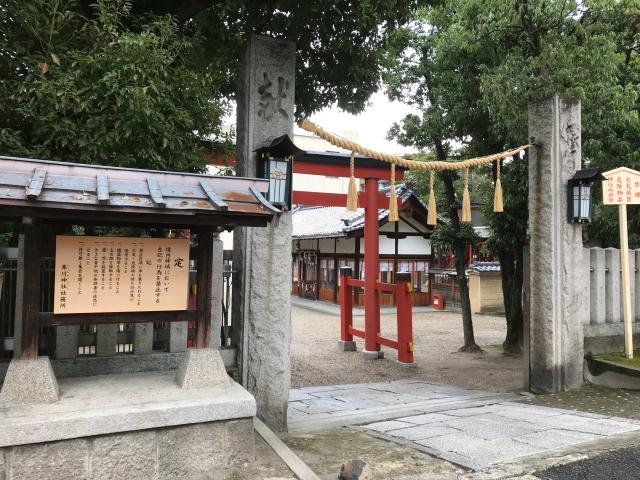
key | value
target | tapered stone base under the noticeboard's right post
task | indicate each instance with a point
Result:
(202, 368)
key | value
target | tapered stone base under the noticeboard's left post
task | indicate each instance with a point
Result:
(29, 382)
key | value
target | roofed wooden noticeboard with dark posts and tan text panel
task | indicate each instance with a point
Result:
(40, 193)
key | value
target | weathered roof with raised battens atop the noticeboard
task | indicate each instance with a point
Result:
(91, 193)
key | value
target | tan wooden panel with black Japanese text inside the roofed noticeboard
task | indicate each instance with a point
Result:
(120, 274)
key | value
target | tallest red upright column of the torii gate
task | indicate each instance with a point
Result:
(371, 270)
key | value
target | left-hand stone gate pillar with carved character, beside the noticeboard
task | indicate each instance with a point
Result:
(261, 311)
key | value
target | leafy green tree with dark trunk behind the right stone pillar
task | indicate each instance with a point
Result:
(472, 67)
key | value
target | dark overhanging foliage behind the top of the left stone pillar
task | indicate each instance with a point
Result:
(340, 43)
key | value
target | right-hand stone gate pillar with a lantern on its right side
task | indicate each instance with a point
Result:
(556, 255)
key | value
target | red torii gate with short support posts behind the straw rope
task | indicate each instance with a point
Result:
(372, 171)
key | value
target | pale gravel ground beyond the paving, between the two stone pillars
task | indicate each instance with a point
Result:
(316, 359)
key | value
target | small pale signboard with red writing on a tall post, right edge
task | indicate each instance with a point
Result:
(622, 188)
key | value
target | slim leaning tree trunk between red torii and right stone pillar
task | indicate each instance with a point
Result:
(459, 248)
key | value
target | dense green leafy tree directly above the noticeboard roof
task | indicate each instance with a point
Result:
(102, 90)
